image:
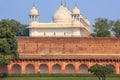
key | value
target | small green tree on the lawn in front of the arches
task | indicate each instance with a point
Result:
(101, 71)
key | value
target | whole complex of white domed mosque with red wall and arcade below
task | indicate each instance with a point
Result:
(62, 46)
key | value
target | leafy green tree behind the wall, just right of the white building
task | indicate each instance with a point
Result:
(102, 27)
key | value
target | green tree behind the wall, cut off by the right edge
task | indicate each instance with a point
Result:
(116, 28)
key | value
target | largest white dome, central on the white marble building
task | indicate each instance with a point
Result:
(62, 15)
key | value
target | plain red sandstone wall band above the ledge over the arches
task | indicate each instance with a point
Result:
(69, 45)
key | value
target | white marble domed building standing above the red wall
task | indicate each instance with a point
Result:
(65, 23)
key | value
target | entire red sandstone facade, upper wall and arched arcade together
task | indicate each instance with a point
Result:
(60, 54)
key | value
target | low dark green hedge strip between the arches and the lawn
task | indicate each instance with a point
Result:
(58, 75)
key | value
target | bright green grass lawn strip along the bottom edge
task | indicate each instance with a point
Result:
(57, 78)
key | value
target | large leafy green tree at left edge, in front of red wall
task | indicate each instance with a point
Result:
(8, 43)
